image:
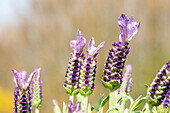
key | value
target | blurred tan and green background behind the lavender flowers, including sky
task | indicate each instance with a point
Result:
(36, 33)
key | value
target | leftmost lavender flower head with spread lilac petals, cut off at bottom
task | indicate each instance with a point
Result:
(22, 95)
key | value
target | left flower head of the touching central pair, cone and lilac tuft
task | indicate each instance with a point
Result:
(71, 84)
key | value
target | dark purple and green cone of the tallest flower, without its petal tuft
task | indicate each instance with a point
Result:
(112, 78)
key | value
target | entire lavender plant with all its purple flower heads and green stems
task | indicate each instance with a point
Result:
(80, 77)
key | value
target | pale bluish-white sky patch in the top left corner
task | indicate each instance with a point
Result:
(11, 10)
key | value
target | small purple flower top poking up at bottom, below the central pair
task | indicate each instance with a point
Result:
(74, 109)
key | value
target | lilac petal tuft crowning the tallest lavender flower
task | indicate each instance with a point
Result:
(128, 28)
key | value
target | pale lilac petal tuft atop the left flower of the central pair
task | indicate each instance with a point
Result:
(78, 45)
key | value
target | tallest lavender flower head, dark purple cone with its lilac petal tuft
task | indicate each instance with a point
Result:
(112, 78)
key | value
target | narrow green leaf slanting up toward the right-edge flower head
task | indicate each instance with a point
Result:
(136, 103)
